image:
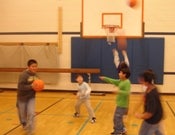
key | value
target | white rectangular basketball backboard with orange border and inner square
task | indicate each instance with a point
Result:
(98, 13)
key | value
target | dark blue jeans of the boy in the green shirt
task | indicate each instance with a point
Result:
(118, 119)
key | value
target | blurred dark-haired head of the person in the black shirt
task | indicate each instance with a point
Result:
(147, 76)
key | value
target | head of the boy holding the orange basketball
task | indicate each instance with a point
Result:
(32, 65)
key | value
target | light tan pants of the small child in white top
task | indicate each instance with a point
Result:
(87, 103)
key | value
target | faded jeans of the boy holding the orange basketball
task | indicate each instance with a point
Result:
(26, 113)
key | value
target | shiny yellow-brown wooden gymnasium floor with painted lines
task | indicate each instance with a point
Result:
(54, 115)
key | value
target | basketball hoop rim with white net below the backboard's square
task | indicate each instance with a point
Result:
(111, 32)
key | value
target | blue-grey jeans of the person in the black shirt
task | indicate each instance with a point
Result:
(151, 129)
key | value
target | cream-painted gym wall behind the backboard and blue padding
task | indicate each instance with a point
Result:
(42, 16)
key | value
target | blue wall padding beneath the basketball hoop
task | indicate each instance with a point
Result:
(143, 53)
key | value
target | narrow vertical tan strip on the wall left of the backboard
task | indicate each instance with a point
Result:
(60, 27)
